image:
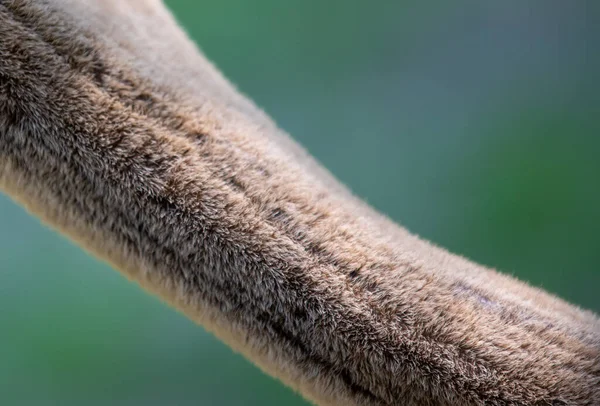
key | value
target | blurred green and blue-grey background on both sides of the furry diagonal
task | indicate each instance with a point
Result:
(476, 124)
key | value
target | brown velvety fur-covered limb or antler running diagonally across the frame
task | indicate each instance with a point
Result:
(116, 130)
